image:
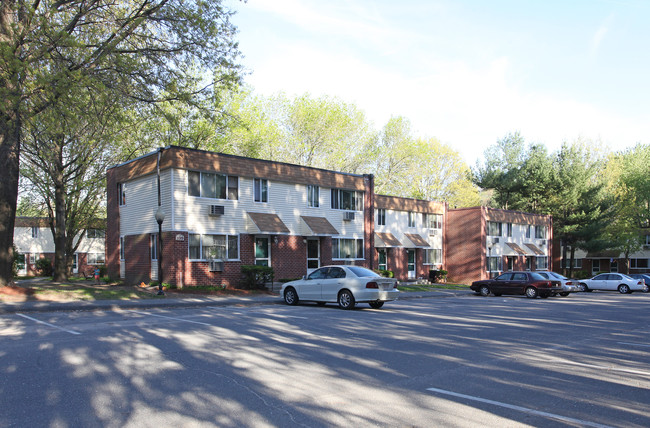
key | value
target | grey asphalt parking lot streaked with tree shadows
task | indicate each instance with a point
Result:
(455, 361)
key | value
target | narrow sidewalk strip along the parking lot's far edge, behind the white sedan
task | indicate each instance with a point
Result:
(187, 301)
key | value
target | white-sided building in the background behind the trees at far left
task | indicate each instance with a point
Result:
(34, 240)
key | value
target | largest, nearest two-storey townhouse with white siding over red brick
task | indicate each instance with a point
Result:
(223, 211)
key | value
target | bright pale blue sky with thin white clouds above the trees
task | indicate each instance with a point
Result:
(467, 72)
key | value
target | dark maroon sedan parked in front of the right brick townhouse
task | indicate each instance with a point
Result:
(529, 283)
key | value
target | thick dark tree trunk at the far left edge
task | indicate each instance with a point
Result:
(9, 165)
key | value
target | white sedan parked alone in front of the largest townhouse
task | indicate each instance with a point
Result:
(345, 285)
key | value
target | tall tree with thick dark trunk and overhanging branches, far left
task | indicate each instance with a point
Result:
(134, 49)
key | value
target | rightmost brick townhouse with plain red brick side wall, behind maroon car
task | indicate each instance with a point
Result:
(483, 241)
